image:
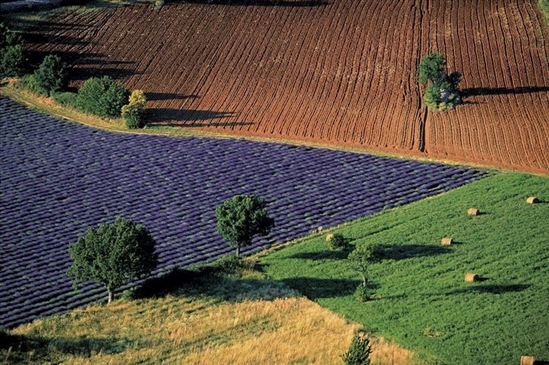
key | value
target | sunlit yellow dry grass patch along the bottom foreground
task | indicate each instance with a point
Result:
(182, 330)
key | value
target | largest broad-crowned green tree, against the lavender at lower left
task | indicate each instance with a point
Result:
(113, 254)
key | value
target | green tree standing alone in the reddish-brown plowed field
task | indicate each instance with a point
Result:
(442, 91)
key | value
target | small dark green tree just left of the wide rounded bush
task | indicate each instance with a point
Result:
(50, 77)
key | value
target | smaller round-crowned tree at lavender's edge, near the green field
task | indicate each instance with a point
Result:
(242, 217)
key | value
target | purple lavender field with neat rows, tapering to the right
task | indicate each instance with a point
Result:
(59, 178)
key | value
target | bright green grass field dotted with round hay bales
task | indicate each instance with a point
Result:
(421, 299)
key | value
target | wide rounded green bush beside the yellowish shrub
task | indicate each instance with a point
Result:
(102, 97)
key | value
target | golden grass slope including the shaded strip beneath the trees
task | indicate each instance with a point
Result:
(211, 319)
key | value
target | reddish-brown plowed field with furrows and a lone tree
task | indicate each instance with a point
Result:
(340, 73)
